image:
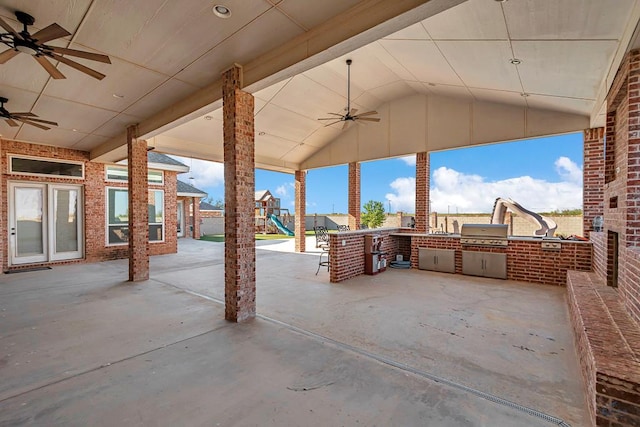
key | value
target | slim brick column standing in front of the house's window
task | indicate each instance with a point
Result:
(138, 206)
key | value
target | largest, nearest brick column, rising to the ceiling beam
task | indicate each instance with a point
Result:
(239, 184)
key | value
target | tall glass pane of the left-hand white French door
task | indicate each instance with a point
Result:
(29, 230)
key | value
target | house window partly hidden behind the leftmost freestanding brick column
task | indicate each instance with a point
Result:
(118, 216)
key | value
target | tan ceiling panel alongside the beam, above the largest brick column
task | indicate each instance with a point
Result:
(262, 38)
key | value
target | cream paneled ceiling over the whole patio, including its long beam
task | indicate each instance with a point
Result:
(167, 58)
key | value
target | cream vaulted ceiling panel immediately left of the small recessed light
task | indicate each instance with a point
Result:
(495, 71)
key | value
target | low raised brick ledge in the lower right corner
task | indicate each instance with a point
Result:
(608, 344)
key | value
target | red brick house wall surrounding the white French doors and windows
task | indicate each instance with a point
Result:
(94, 212)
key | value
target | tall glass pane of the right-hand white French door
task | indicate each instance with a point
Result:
(66, 220)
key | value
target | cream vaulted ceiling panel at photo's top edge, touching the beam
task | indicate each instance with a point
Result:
(471, 20)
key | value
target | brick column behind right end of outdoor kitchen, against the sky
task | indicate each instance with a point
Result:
(593, 178)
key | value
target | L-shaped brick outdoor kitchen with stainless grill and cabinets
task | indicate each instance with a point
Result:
(479, 249)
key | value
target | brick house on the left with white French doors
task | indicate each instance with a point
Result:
(63, 208)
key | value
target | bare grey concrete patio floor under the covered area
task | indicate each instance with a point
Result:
(81, 346)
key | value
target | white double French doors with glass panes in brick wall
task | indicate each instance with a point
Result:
(45, 222)
